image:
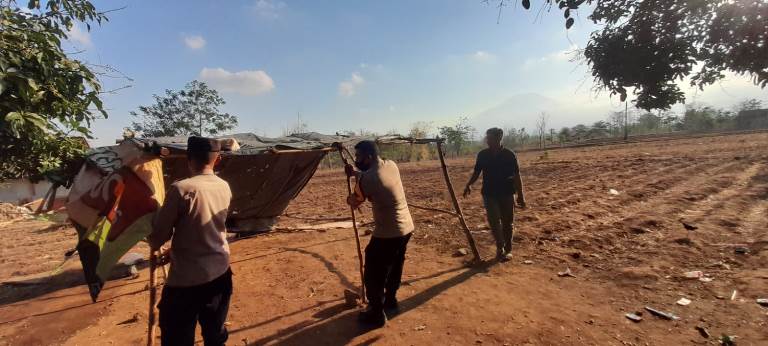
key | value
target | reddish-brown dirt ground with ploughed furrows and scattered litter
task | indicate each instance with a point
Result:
(627, 251)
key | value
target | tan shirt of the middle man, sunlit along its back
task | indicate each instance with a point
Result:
(382, 186)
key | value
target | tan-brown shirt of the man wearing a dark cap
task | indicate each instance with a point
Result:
(198, 208)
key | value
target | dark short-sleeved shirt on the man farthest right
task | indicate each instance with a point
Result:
(498, 168)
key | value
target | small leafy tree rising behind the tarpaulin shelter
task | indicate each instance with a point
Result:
(192, 111)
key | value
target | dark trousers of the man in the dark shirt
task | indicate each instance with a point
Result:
(501, 215)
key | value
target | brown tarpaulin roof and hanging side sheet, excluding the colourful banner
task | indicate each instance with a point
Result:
(265, 174)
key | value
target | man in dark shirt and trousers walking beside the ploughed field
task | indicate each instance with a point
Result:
(501, 181)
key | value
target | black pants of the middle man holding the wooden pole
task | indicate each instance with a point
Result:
(384, 259)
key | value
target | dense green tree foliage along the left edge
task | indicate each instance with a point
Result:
(45, 95)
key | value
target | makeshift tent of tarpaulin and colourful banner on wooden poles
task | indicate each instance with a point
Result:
(130, 179)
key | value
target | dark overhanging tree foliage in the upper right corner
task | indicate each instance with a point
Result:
(645, 47)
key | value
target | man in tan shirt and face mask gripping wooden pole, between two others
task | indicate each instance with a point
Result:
(379, 182)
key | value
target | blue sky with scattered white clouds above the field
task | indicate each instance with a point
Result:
(351, 65)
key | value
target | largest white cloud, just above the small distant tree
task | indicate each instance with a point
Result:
(246, 82)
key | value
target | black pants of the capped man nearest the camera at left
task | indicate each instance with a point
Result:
(182, 307)
